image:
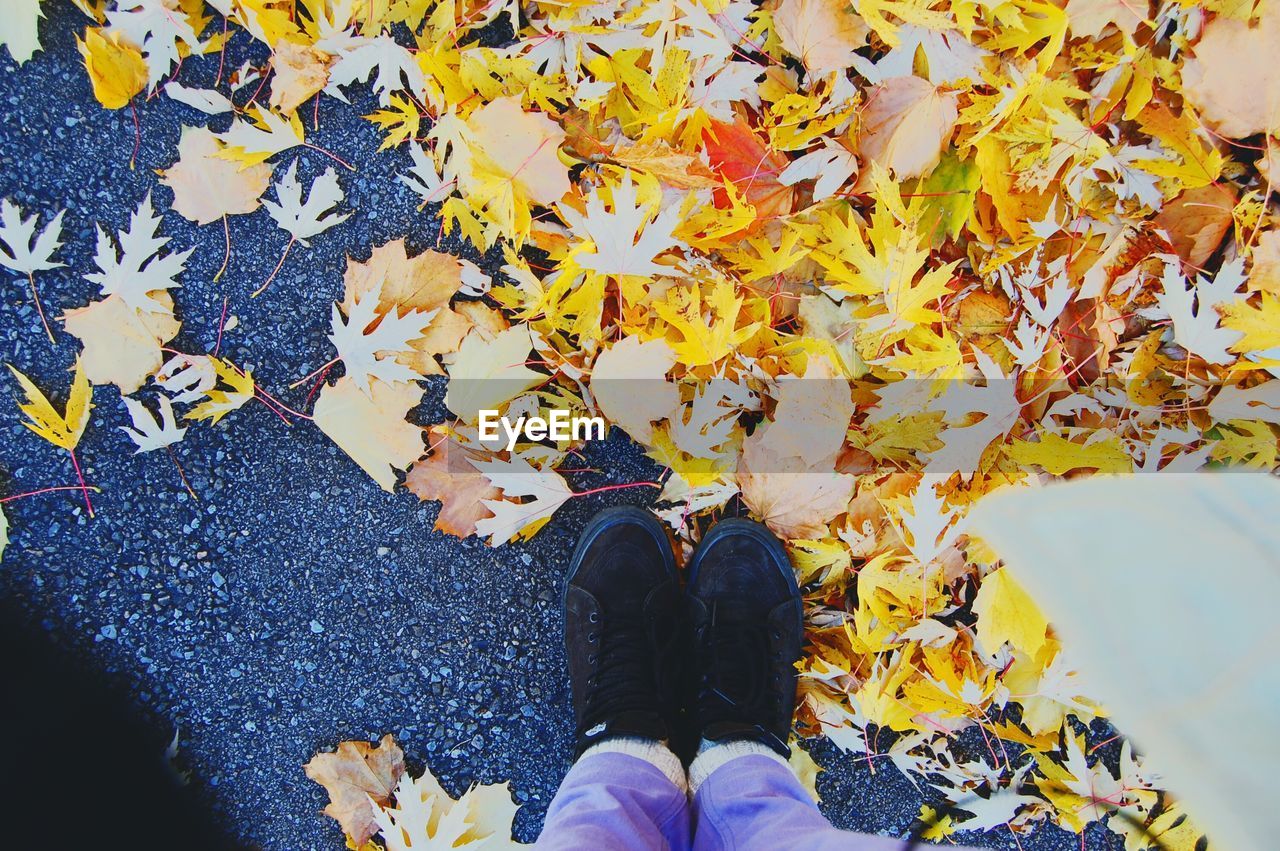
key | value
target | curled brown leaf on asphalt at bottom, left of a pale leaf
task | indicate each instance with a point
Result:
(353, 775)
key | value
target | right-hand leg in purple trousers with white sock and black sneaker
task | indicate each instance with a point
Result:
(746, 611)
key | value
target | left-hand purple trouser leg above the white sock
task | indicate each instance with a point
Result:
(616, 802)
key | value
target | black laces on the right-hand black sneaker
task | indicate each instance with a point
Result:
(738, 683)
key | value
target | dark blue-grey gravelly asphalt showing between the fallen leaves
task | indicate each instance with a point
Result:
(295, 605)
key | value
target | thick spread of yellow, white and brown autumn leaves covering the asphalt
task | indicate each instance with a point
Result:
(852, 268)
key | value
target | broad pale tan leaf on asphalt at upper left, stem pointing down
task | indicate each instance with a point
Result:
(208, 187)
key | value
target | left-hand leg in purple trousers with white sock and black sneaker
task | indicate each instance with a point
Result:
(623, 608)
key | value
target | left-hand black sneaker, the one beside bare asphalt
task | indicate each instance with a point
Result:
(623, 610)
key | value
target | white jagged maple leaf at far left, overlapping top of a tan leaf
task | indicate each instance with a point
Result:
(135, 269)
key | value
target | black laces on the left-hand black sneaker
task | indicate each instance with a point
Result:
(623, 679)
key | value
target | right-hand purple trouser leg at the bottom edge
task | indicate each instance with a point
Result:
(755, 804)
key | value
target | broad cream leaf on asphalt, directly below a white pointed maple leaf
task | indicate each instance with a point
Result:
(371, 425)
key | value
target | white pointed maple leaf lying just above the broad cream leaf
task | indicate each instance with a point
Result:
(368, 345)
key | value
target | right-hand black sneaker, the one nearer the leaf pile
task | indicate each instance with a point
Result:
(746, 612)
